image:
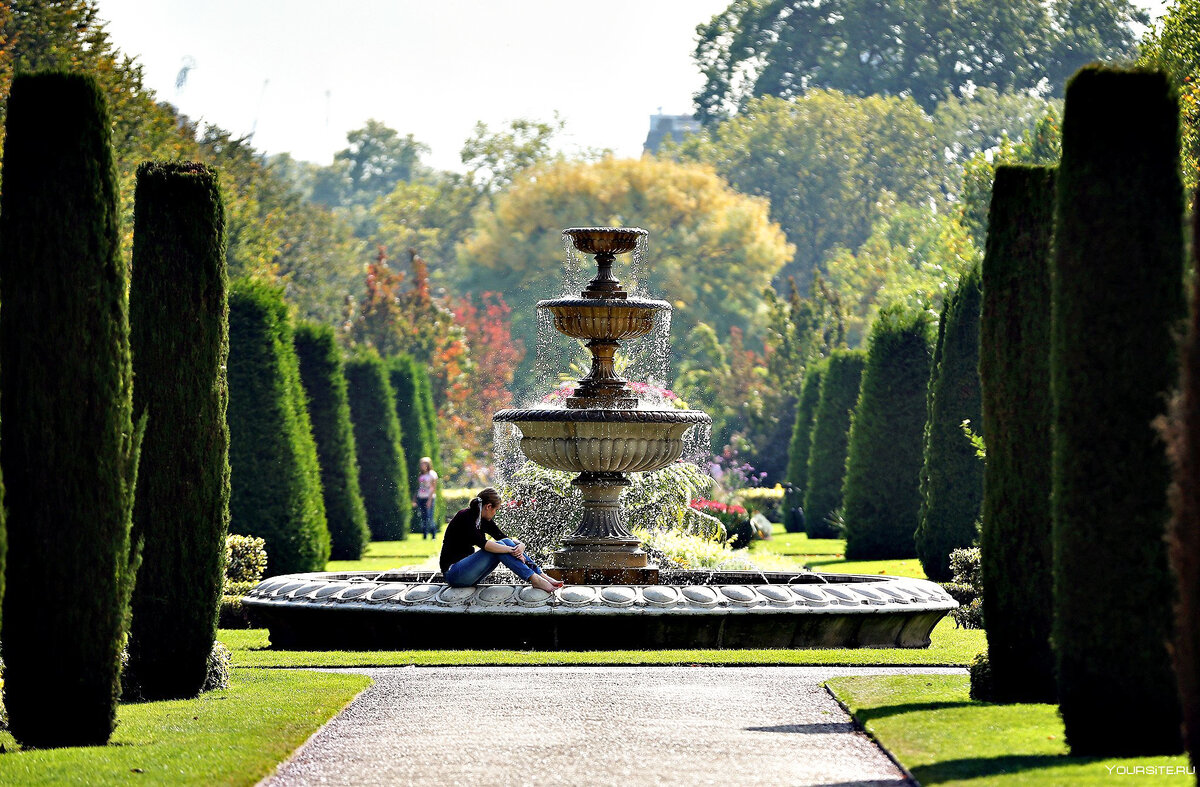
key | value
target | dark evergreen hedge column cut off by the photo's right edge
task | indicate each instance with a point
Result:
(1184, 436)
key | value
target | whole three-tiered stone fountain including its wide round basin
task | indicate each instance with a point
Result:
(615, 598)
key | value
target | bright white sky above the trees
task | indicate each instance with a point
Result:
(302, 74)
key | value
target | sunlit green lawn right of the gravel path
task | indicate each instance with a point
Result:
(932, 726)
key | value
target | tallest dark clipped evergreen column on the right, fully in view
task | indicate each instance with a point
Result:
(1118, 301)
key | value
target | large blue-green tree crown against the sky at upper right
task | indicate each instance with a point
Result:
(926, 50)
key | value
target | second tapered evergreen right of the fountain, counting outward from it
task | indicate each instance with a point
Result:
(831, 437)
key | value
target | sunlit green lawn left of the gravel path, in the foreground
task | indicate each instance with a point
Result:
(232, 737)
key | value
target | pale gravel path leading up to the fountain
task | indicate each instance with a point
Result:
(622, 726)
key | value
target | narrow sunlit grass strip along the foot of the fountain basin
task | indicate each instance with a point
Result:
(951, 647)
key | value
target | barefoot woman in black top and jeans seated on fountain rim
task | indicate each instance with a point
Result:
(463, 566)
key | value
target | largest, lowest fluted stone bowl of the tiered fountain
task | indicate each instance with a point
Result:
(602, 441)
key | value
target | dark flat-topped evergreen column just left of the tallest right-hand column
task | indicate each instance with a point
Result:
(1015, 370)
